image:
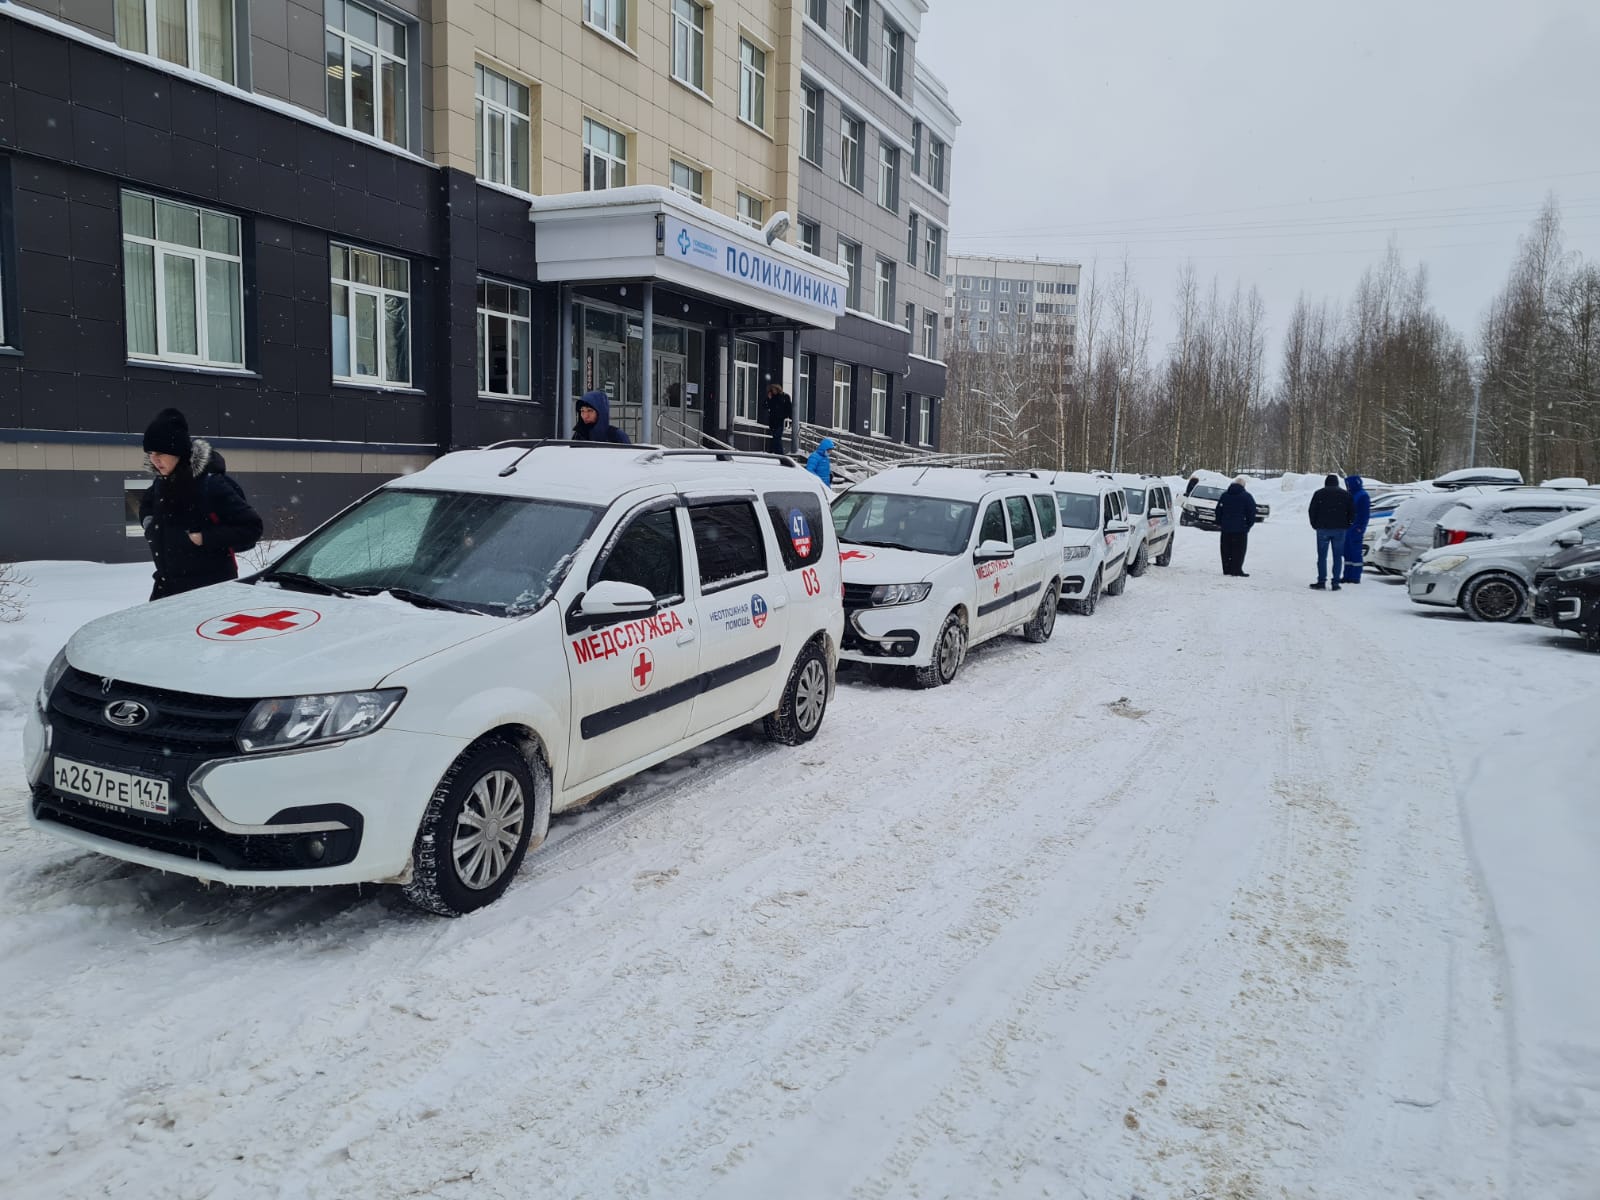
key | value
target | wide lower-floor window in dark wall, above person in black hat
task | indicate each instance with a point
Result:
(183, 282)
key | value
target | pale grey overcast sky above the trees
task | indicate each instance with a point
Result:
(1273, 142)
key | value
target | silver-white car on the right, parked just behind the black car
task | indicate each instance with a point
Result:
(1492, 580)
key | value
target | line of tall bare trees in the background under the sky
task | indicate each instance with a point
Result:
(1382, 386)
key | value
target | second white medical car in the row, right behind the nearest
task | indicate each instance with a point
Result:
(942, 559)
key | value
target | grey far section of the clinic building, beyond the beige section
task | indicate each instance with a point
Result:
(876, 140)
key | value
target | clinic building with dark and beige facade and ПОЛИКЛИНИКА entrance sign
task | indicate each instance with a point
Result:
(346, 238)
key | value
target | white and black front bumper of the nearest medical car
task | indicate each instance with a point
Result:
(343, 814)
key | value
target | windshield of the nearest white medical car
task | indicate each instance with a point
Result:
(489, 554)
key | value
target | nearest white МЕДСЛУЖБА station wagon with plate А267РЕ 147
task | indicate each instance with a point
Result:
(409, 694)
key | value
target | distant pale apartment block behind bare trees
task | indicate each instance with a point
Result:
(1010, 305)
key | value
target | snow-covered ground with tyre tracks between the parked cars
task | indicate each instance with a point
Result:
(1231, 890)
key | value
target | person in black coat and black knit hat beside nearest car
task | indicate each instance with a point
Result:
(194, 516)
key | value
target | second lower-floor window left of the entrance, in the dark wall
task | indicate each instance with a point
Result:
(372, 316)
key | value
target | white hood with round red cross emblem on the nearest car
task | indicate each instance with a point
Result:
(263, 641)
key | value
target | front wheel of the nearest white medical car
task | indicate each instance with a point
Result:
(490, 790)
